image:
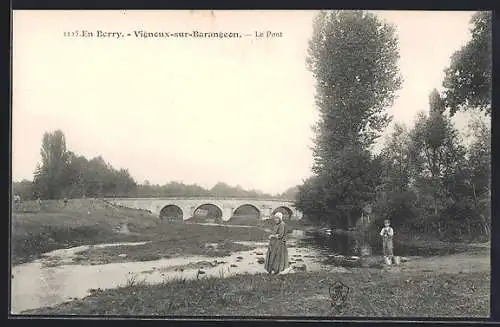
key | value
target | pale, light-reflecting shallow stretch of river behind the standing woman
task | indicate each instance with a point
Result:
(55, 278)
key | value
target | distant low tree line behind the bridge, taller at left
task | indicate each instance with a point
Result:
(64, 174)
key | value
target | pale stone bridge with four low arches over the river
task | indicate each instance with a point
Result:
(226, 207)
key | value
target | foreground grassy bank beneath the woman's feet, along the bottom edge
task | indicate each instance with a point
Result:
(373, 293)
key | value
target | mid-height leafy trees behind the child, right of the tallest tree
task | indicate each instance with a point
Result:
(432, 185)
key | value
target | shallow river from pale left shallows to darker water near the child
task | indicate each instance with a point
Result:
(56, 277)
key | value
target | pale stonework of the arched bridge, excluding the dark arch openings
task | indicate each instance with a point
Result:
(189, 205)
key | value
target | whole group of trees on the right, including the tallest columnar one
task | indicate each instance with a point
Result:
(426, 180)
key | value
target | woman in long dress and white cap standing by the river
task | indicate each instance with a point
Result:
(277, 253)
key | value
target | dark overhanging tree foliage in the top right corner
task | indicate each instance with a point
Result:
(467, 81)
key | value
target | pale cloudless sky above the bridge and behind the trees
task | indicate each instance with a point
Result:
(191, 110)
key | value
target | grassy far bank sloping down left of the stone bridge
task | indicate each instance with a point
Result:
(91, 221)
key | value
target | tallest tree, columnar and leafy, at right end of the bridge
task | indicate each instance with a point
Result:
(353, 56)
